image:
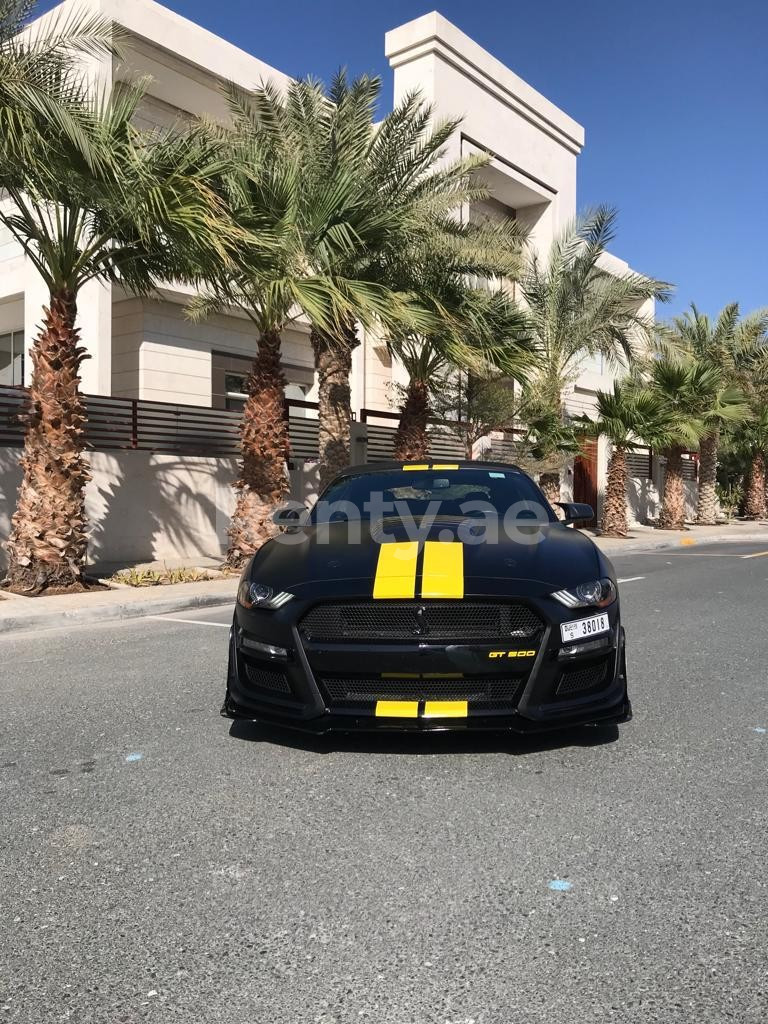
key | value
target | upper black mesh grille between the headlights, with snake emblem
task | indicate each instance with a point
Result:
(433, 621)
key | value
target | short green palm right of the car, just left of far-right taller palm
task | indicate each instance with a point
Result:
(695, 395)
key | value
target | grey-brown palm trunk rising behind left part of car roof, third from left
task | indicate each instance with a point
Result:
(333, 361)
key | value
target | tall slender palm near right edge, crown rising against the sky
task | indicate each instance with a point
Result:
(726, 344)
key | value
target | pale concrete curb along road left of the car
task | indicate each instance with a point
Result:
(61, 619)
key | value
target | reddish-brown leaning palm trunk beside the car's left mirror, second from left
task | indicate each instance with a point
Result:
(263, 484)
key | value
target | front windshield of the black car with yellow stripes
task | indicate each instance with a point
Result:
(442, 491)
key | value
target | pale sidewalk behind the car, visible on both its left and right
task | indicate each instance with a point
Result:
(19, 615)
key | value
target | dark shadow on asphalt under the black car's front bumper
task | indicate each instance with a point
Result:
(420, 744)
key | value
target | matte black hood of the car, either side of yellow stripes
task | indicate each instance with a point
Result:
(336, 559)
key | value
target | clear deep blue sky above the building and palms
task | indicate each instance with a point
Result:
(673, 96)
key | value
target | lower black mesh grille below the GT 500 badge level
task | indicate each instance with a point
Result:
(488, 693)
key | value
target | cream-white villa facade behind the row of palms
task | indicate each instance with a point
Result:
(148, 349)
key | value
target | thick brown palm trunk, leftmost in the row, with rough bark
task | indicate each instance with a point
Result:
(49, 538)
